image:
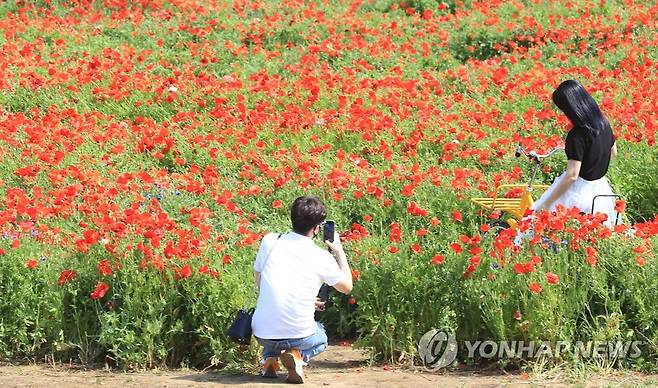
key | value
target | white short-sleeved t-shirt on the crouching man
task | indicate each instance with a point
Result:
(290, 280)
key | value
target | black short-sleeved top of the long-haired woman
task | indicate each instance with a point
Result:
(593, 151)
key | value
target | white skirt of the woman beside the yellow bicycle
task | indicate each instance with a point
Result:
(581, 194)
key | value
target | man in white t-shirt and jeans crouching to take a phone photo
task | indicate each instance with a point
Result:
(290, 269)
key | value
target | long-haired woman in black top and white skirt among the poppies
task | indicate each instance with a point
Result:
(589, 146)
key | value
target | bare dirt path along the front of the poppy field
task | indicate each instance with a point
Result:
(338, 366)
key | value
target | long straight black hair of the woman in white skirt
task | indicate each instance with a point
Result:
(574, 101)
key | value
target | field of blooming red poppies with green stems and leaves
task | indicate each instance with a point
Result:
(146, 146)
